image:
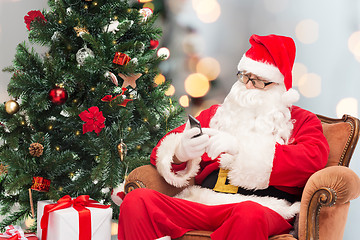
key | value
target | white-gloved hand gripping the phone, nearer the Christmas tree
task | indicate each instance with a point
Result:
(189, 147)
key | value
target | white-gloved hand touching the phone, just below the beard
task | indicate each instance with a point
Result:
(220, 142)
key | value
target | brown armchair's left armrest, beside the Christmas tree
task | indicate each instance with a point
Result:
(148, 177)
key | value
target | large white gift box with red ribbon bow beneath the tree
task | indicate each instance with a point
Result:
(79, 218)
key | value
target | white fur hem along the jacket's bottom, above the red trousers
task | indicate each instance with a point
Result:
(210, 197)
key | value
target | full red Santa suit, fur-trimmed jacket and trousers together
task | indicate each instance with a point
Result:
(290, 166)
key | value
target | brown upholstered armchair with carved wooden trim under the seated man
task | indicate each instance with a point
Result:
(326, 197)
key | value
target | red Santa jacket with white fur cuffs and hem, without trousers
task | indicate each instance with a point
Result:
(286, 168)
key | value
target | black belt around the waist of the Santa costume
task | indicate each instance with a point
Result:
(271, 191)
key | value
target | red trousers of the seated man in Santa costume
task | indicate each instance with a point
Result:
(147, 214)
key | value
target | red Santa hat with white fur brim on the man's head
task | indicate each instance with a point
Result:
(271, 57)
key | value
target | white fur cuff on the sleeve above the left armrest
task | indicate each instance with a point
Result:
(165, 153)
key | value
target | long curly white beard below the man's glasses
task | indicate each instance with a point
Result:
(255, 113)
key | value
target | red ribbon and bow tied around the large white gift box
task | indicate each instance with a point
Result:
(79, 204)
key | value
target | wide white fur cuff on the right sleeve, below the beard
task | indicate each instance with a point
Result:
(252, 166)
